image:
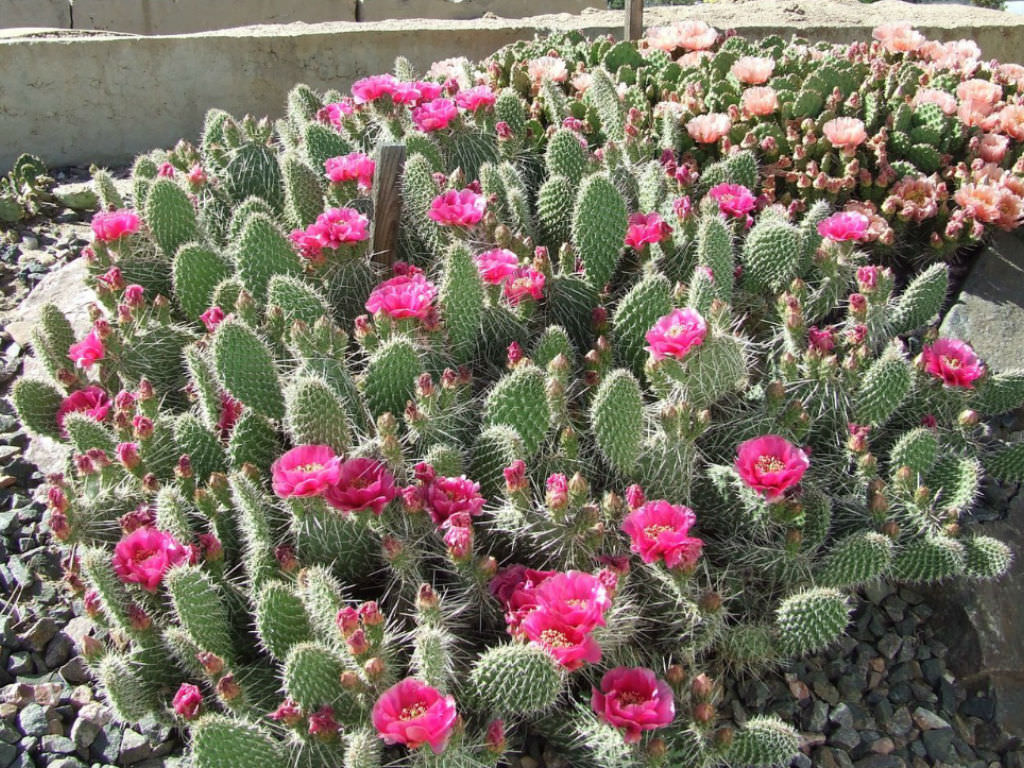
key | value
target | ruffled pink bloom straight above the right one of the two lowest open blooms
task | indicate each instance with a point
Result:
(660, 531)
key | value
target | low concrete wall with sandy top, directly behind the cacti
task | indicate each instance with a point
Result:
(82, 98)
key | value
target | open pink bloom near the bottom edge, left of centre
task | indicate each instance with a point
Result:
(414, 714)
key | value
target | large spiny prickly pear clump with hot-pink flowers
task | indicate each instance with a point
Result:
(603, 430)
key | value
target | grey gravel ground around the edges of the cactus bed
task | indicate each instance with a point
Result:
(883, 699)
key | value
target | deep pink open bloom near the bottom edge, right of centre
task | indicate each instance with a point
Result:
(635, 700)
